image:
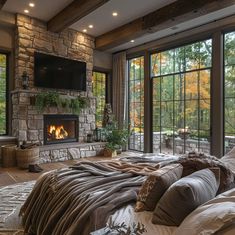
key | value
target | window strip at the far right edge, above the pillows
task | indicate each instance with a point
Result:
(229, 90)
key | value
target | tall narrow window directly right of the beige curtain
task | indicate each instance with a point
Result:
(136, 103)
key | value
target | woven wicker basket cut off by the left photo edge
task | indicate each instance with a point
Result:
(8, 153)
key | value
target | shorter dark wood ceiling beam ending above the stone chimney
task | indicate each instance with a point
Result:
(72, 13)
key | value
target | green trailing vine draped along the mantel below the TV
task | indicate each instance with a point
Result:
(53, 99)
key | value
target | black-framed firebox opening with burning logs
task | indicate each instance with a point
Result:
(60, 128)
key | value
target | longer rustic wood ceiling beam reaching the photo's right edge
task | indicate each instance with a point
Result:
(163, 18)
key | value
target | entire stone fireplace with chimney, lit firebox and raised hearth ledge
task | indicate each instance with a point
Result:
(29, 124)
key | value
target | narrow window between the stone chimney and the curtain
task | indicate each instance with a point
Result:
(99, 91)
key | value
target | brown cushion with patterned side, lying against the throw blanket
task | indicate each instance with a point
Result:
(155, 186)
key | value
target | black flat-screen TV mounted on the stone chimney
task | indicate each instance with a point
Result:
(59, 73)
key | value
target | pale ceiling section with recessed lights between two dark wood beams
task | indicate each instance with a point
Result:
(128, 10)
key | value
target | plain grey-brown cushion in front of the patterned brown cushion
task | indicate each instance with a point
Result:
(184, 196)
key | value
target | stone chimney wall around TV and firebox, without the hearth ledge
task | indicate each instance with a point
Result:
(27, 121)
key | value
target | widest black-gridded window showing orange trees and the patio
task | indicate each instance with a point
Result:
(181, 98)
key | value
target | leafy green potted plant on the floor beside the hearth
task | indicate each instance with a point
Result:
(115, 137)
